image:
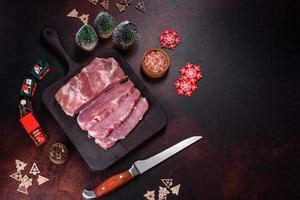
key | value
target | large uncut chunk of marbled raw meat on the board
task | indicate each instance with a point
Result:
(95, 78)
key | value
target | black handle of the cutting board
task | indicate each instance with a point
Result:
(51, 38)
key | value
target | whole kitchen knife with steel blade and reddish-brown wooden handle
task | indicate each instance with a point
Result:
(139, 167)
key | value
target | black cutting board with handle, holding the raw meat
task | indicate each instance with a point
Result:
(96, 157)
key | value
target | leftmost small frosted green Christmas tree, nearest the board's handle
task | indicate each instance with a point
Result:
(86, 38)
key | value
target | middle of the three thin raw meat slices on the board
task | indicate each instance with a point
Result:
(105, 127)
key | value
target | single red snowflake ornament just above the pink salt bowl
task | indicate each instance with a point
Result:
(169, 39)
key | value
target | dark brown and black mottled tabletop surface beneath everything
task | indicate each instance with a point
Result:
(247, 105)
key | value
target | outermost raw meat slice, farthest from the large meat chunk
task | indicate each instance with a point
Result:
(126, 127)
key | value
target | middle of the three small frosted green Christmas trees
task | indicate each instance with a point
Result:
(105, 24)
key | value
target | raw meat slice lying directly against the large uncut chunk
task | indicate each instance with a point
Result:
(103, 105)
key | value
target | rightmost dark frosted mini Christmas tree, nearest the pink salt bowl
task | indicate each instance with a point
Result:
(126, 35)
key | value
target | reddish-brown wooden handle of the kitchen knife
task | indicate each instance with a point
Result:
(112, 183)
